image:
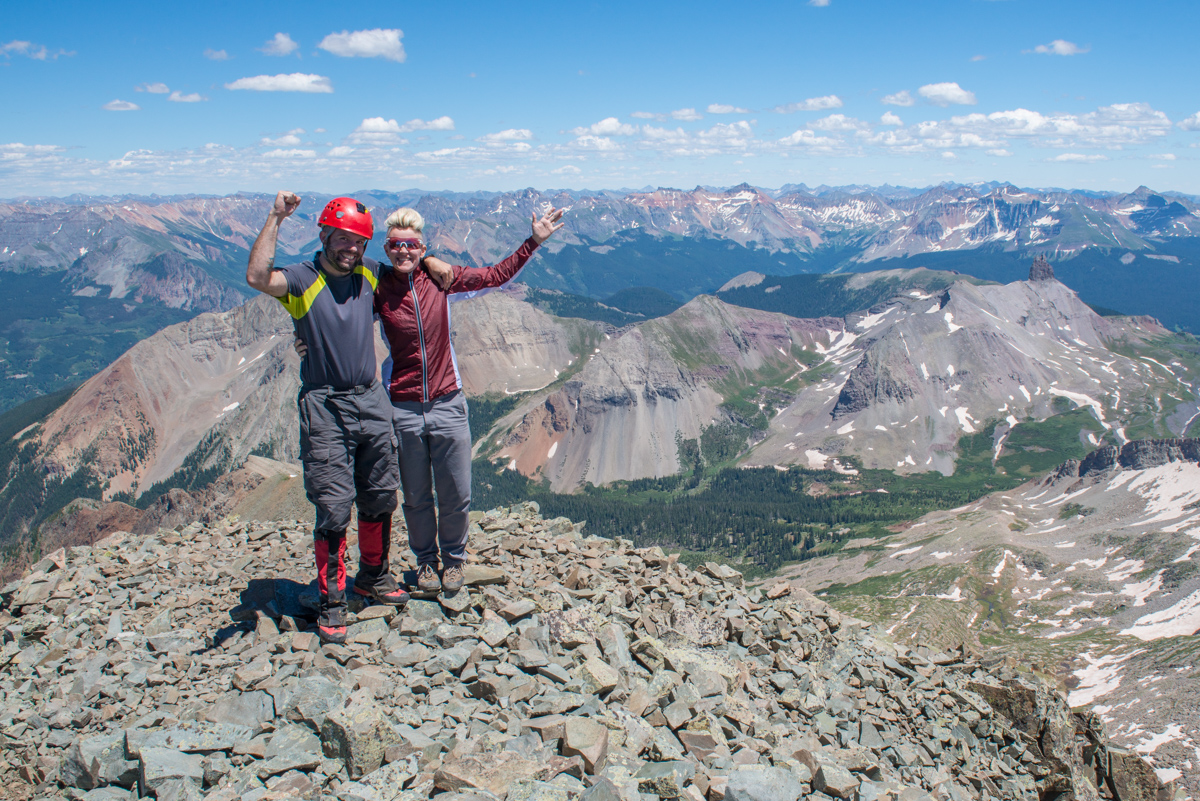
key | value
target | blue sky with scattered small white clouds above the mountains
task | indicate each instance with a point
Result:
(219, 98)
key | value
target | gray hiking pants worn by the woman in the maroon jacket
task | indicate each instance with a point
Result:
(435, 453)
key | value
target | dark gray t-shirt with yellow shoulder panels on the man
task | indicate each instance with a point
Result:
(335, 318)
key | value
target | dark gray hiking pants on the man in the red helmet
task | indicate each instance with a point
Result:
(349, 451)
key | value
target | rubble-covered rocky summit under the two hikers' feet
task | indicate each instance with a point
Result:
(182, 665)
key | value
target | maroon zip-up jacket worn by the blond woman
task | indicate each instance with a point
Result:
(423, 366)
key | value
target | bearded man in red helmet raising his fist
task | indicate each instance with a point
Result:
(347, 442)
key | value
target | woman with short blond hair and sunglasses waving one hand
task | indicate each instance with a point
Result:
(429, 408)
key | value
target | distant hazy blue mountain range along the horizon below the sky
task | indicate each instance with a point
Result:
(88, 278)
